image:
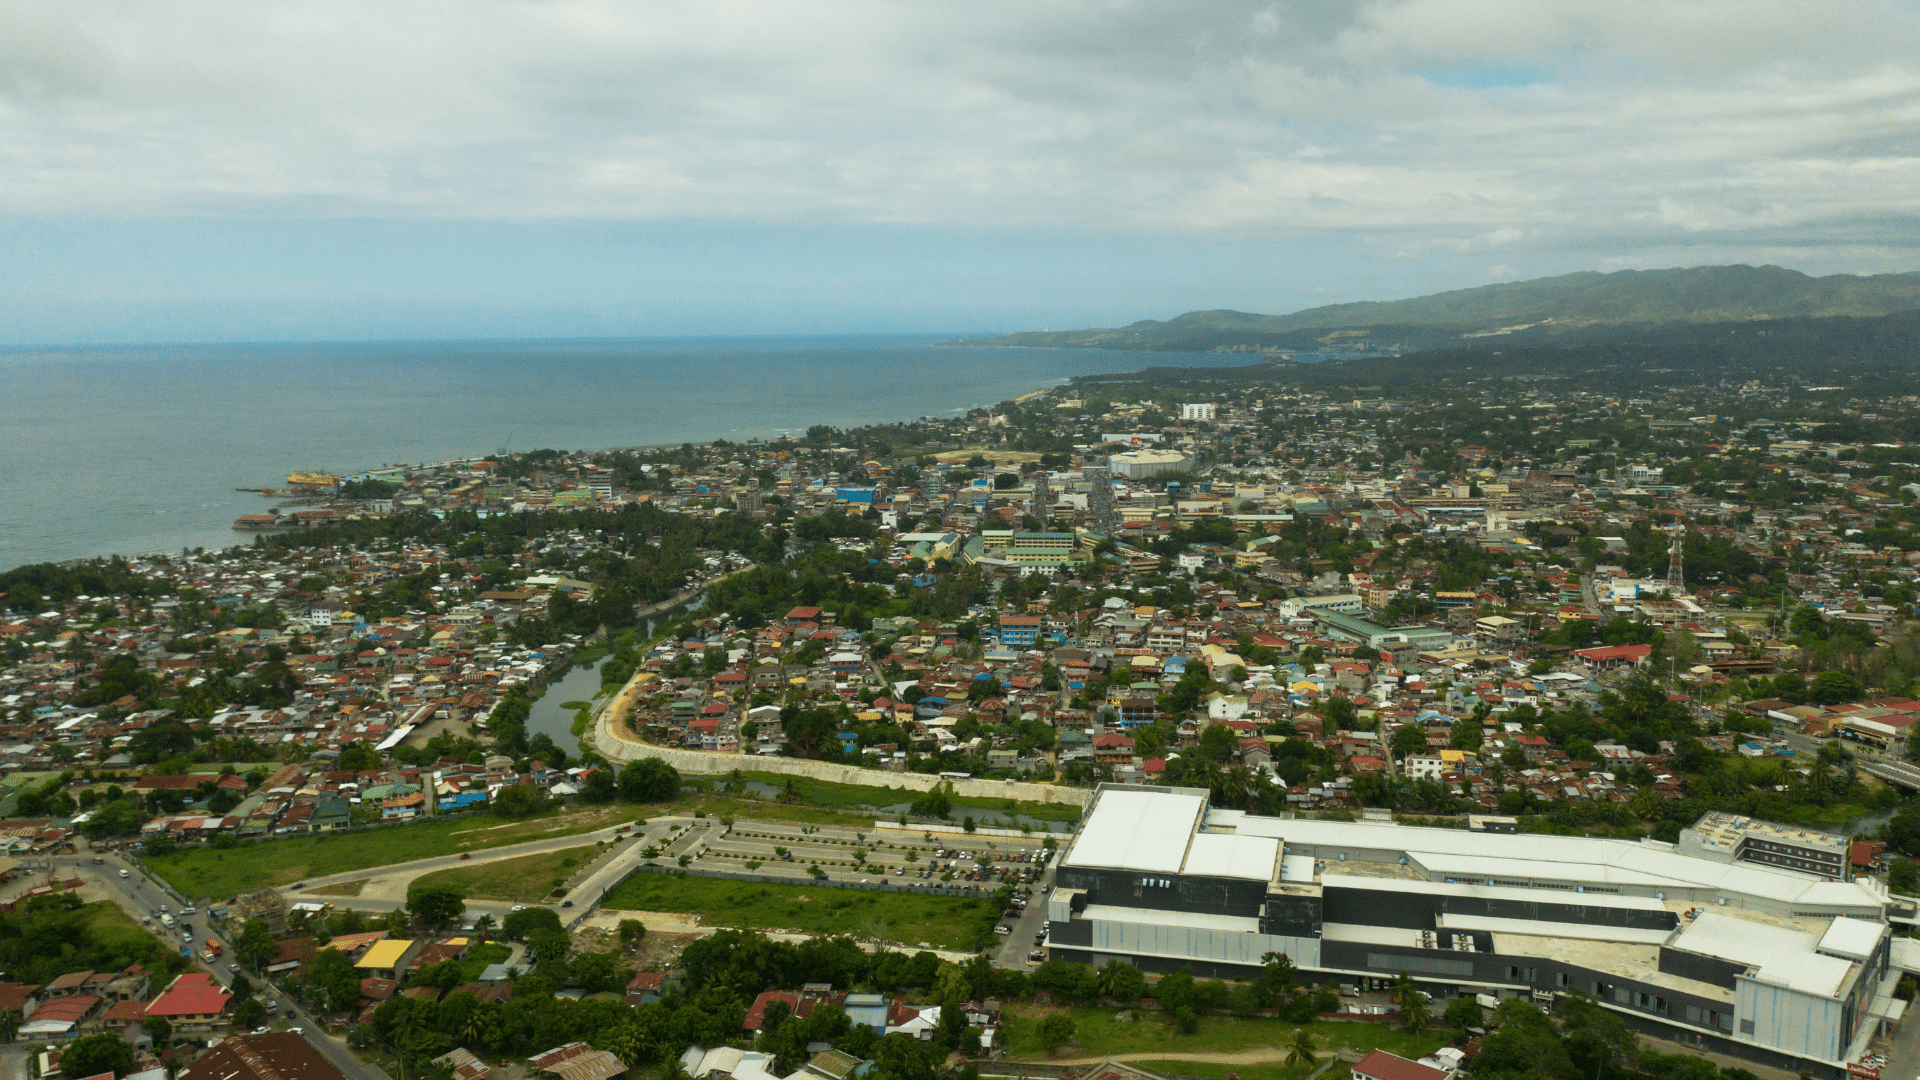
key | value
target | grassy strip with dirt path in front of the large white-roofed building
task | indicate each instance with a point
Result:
(1101, 1035)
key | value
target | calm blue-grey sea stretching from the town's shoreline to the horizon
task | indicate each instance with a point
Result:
(132, 451)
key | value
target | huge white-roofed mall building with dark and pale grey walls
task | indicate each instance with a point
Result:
(1725, 956)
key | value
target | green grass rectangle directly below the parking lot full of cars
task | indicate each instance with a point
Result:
(946, 921)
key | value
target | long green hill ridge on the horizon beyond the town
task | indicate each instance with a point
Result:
(1529, 308)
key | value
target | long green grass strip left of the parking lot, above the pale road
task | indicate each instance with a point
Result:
(220, 875)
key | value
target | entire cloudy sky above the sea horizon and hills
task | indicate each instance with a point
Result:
(477, 168)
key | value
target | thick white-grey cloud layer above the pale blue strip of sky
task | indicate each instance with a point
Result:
(1504, 122)
